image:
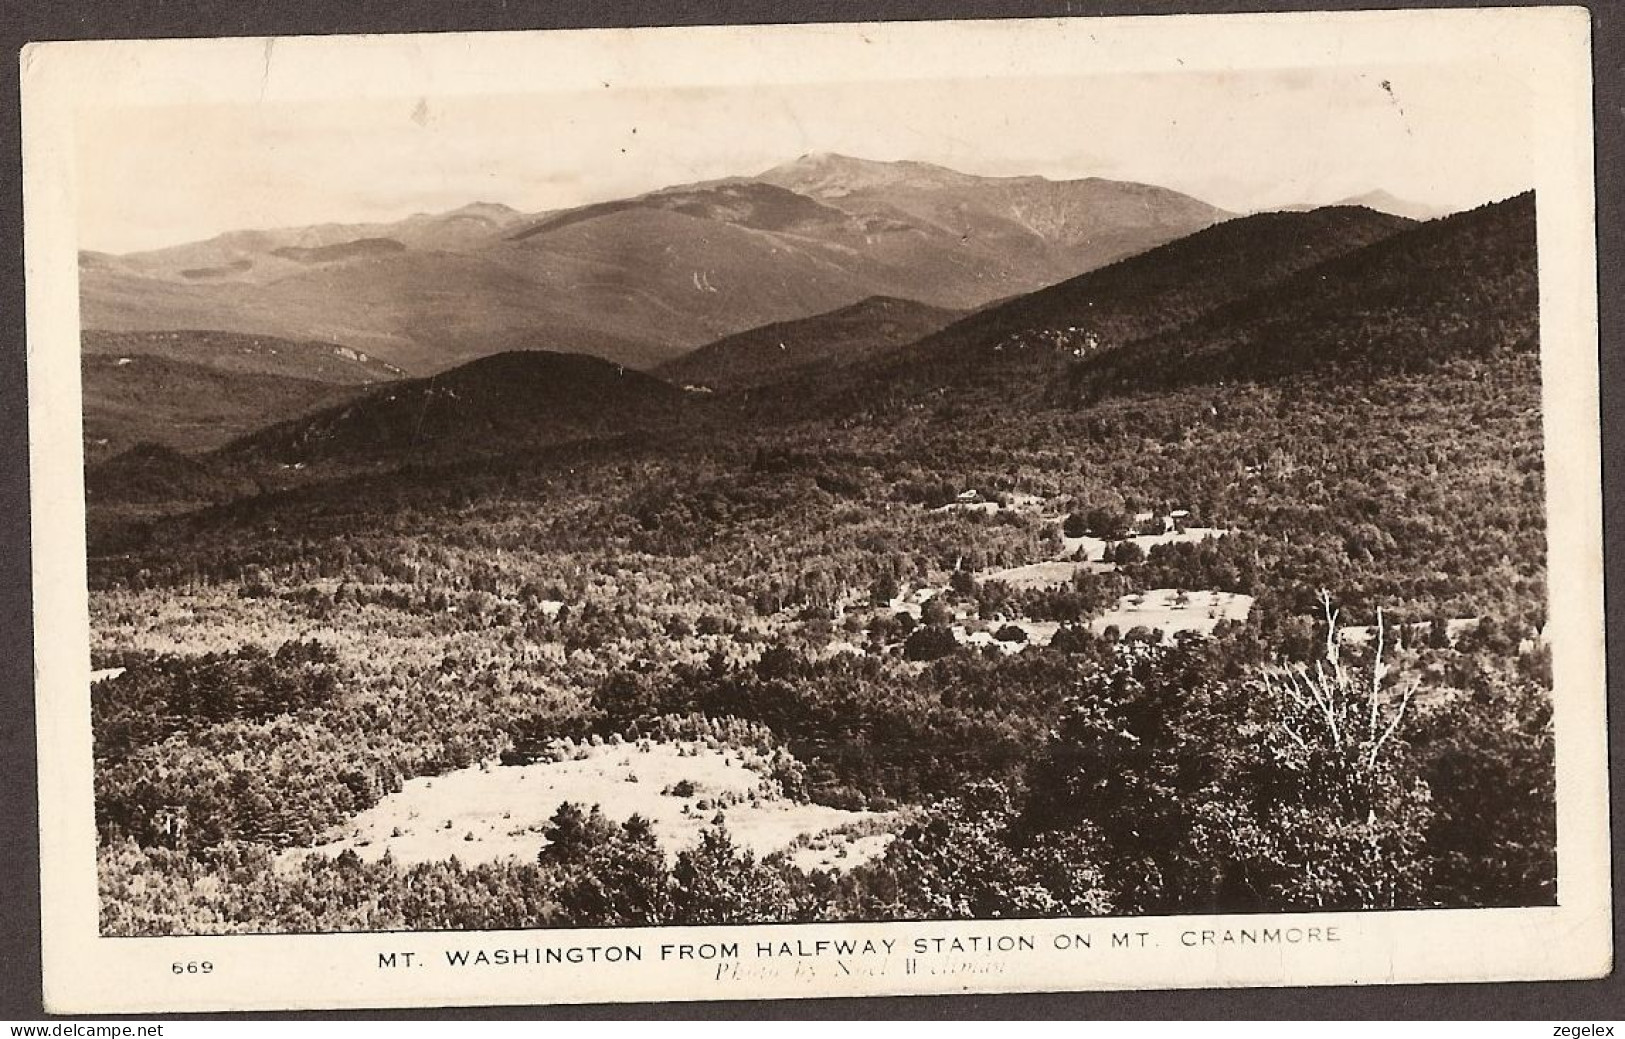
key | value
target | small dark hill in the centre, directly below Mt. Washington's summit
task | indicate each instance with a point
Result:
(774, 352)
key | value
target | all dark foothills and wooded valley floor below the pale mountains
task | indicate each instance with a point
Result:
(1241, 614)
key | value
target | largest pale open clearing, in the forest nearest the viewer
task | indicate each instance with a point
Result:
(493, 812)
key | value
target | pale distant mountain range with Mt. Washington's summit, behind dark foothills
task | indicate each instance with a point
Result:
(641, 280)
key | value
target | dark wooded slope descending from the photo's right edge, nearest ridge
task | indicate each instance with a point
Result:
(1458, 287)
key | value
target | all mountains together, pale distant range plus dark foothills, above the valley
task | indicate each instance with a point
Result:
(1164, 292)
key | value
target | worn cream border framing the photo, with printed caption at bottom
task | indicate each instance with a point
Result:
(87, 973)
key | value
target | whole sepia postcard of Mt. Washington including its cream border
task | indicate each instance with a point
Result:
(830, 510)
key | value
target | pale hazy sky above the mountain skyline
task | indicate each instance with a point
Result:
(1449, 136)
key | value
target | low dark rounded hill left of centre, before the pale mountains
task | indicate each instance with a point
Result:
(500, 406)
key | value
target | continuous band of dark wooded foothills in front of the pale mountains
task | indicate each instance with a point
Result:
(1338, 290)
